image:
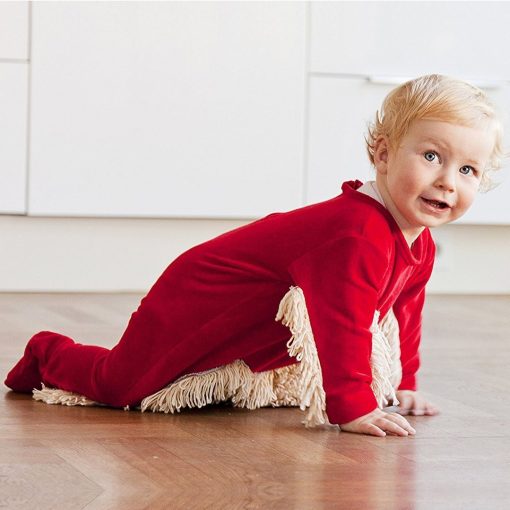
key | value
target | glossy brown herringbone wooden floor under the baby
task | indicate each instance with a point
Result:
(219, 457)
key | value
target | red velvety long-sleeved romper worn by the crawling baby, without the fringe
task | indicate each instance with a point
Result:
(216, 303)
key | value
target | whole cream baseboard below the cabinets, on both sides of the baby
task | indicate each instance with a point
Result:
(93, 254)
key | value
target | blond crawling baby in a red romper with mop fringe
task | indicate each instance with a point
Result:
(347, 276)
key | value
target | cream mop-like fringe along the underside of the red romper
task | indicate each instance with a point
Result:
(299, 384)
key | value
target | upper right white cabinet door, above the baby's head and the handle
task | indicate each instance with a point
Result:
(465, 39)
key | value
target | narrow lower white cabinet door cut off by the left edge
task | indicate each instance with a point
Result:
(13, 137)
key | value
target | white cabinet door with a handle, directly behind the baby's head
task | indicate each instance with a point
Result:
(340, 110)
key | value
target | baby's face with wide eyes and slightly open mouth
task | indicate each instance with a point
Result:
(433, 176)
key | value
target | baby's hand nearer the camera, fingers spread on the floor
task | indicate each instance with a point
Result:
(378, 423)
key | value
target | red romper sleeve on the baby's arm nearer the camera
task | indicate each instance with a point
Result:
(341, 282)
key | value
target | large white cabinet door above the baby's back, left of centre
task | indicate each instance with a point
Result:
(167, 108)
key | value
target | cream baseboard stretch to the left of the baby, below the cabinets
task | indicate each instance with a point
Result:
(94, 254)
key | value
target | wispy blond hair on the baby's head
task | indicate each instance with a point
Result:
(437, 97)
